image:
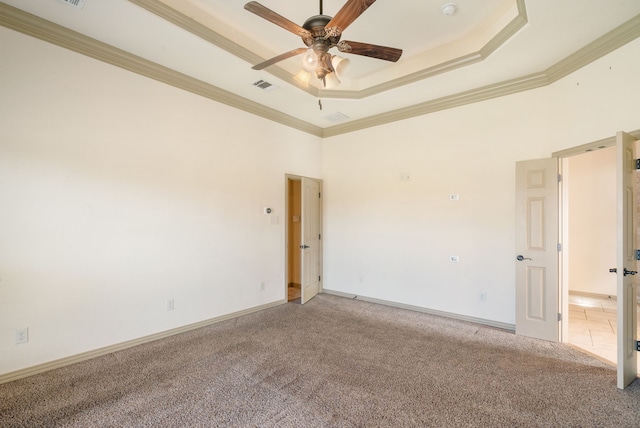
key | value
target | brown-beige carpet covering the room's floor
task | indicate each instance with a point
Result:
(333, 362)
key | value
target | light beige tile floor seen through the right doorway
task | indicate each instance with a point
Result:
(592, 326)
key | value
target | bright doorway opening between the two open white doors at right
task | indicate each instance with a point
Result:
(589, 233)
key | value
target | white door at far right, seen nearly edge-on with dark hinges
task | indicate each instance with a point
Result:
(626, 263)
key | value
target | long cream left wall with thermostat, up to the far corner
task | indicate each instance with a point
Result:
(119, 193)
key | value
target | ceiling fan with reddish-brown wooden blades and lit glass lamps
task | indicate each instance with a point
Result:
(321, 33)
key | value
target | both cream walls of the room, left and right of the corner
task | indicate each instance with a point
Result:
(119, 192)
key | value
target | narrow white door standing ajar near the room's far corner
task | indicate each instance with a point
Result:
(310, 247)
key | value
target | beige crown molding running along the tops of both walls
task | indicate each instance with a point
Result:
(42, 29)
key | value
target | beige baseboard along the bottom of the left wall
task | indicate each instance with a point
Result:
(51, 365)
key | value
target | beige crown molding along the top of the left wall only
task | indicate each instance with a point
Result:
(47, 31)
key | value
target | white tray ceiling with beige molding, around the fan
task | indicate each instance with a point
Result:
(485, 49)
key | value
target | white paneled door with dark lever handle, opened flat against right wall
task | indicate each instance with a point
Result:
(537, 261)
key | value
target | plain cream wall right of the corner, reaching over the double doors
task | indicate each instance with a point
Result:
(391, 239)
